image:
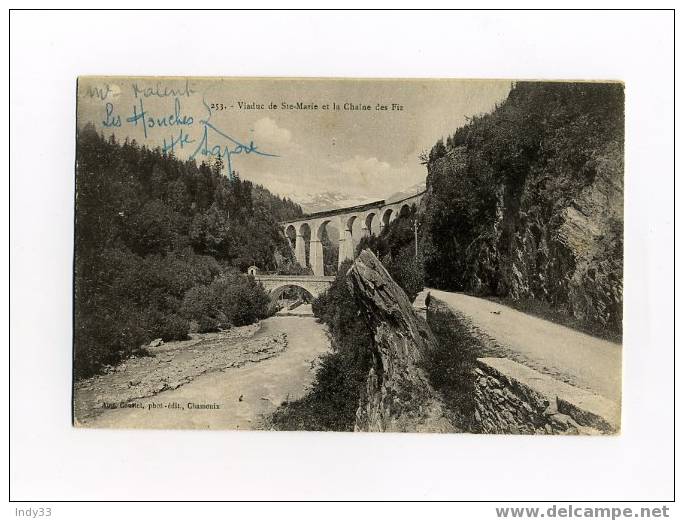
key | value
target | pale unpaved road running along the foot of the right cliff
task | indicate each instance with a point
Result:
(589, 362)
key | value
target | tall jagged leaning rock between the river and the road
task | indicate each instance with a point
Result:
(398, 396)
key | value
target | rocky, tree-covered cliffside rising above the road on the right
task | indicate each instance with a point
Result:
(526, 203)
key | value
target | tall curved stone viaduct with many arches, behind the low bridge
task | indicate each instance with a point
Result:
(313, 226)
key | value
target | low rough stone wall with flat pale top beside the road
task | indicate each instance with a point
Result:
(511, 398)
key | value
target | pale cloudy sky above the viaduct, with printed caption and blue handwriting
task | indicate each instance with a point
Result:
(328, 148)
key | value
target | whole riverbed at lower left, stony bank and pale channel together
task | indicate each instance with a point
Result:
(226, 380)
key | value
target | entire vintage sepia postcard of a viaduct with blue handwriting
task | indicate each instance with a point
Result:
(406, 255)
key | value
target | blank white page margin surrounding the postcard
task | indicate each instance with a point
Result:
(50, 460)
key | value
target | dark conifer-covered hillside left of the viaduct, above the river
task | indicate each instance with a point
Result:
(159, 244)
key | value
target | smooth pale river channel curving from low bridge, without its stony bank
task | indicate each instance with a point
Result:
(236, 398)
